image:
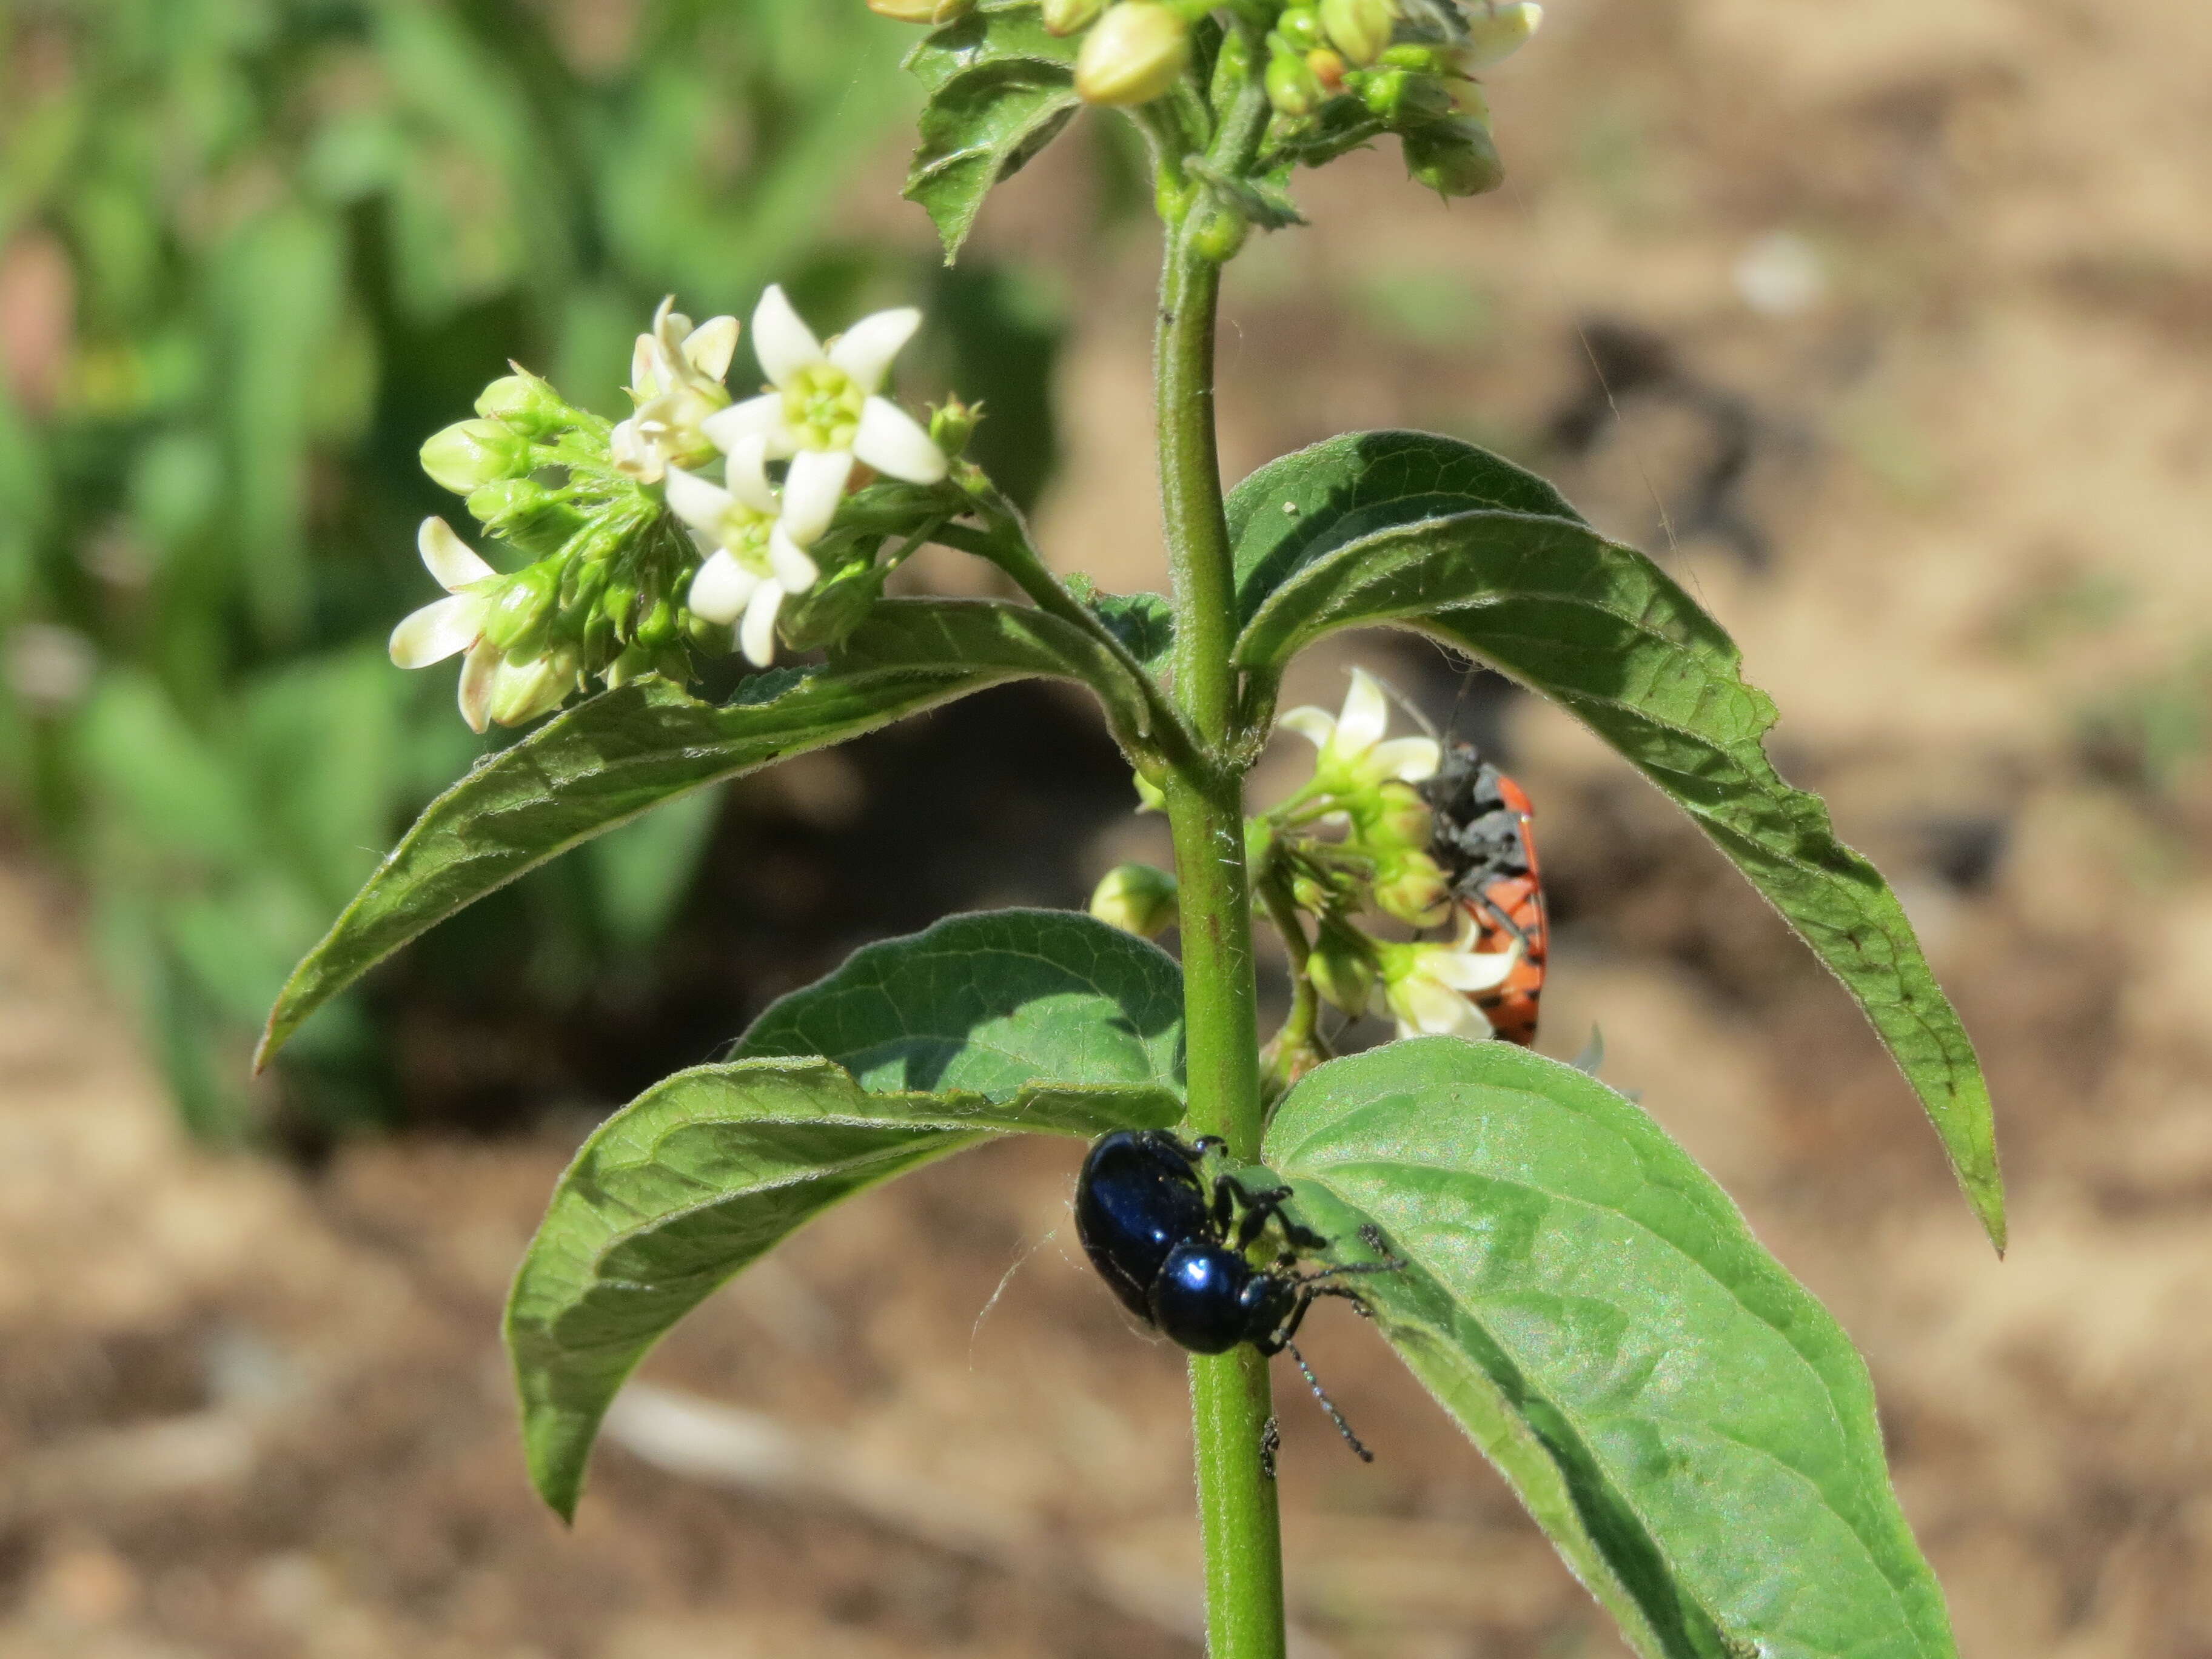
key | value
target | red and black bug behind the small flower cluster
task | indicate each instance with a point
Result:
(1488, 851)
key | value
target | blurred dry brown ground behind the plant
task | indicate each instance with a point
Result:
(1908, 313)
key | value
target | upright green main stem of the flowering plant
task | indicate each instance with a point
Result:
(1229, 1392)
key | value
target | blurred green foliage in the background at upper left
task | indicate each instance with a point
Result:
(251, 255)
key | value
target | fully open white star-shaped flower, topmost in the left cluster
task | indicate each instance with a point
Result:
(824, 410)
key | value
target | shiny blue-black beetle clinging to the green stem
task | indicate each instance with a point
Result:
(1173, 1251)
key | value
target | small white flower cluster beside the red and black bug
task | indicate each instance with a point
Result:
(1357, 839)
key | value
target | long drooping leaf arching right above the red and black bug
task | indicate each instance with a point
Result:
(1614, 640)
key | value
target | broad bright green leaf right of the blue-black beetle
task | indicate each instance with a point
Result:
(1687, 1423)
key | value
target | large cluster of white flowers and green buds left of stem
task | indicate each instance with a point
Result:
(665, 534)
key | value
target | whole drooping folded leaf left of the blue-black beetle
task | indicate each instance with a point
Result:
(1016, 1023)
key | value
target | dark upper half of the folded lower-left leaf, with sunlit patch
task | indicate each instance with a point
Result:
(990, 1005)
